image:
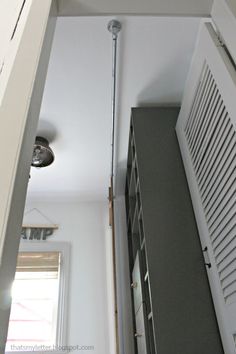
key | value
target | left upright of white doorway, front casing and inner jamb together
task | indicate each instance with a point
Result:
(19, 111)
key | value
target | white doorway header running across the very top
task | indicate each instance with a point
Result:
(150, 7)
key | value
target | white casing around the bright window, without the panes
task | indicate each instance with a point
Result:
(64, 249)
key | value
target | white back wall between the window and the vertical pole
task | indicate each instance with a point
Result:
(85, 227)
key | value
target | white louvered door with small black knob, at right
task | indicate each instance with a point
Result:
(206, 131)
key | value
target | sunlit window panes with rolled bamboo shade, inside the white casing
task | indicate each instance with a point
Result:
(33, 319)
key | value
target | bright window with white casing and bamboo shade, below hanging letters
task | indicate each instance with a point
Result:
(38, 298)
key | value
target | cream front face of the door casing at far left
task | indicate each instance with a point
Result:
(16, 100)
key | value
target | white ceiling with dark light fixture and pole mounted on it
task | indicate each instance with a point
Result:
(154, 59)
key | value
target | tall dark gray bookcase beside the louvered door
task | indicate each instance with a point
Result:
(178, 312)
